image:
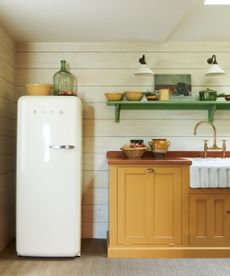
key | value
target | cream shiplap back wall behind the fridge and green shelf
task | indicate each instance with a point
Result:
(103, 67)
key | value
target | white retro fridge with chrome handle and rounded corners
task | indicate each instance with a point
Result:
(48, 191)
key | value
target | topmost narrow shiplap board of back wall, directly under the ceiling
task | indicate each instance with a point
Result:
(175, 46)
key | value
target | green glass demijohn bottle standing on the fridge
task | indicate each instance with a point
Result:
(63, 81)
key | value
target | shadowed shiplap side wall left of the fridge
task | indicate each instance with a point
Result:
(7, 139)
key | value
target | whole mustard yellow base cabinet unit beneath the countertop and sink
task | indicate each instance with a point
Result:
(154, 214)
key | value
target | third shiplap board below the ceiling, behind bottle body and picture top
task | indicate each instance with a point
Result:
(120, 77)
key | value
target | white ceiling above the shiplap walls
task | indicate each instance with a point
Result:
(114, 20)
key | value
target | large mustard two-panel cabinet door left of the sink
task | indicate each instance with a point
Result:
(149, 205)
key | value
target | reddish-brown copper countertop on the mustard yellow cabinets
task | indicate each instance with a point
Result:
(171, 158)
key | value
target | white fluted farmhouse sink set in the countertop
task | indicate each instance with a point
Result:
(210, 173)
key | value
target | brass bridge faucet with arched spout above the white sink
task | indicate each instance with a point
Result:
(214, 146)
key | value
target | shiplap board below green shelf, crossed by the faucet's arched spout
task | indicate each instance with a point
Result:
(151, 128)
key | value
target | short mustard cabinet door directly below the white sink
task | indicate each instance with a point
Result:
(209, 219)
